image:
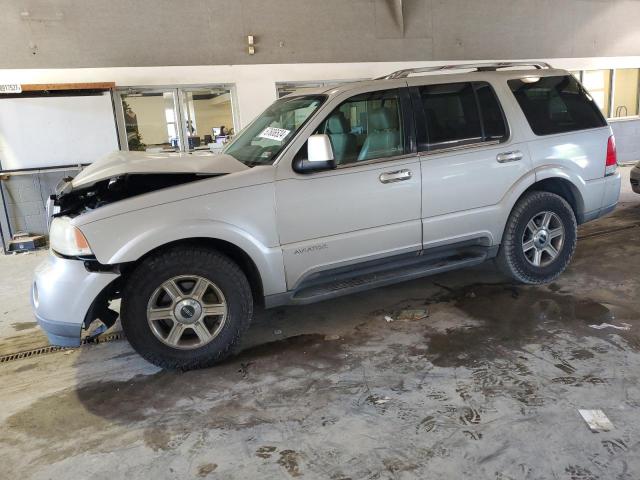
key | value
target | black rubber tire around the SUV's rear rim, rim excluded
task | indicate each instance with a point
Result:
(511, 257)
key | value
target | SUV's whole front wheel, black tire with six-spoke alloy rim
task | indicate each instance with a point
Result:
(186, 308)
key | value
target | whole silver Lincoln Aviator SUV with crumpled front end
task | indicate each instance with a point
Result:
(326, 193)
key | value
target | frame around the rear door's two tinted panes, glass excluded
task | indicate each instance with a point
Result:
(424, 147)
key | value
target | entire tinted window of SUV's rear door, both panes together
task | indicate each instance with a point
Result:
(459, 114)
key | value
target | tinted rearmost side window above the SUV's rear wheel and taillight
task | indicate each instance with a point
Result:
(556, 104)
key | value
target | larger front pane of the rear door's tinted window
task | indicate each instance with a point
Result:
(451, 114)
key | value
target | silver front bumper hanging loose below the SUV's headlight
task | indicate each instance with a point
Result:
(61, 295)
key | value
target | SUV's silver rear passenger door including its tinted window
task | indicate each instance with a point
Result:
(469, 161)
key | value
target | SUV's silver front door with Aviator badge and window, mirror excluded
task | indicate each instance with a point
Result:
(369, 207)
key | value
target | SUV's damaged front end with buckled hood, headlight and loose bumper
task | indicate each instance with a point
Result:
(73, 293)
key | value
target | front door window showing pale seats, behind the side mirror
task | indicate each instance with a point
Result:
(366, 127)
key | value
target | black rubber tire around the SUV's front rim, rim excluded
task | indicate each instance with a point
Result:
(186, 260)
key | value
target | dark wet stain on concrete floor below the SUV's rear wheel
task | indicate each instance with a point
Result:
(510, 317)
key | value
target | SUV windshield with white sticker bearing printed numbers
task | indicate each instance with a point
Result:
(264, 138)
